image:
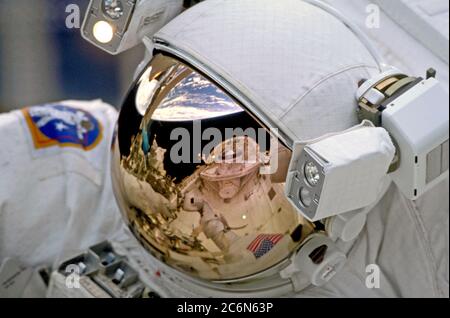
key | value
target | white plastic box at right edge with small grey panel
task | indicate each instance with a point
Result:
(418, 121)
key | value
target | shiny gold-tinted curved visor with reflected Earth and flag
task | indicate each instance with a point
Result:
(195, 177)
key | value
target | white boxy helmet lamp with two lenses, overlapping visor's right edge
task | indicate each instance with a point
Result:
(352, 167)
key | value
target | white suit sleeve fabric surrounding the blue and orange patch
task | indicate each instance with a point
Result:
(55, 200)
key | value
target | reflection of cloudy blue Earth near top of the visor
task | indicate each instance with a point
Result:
(195, 98)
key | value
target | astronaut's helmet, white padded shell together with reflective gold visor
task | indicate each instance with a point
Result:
(206, 133)
